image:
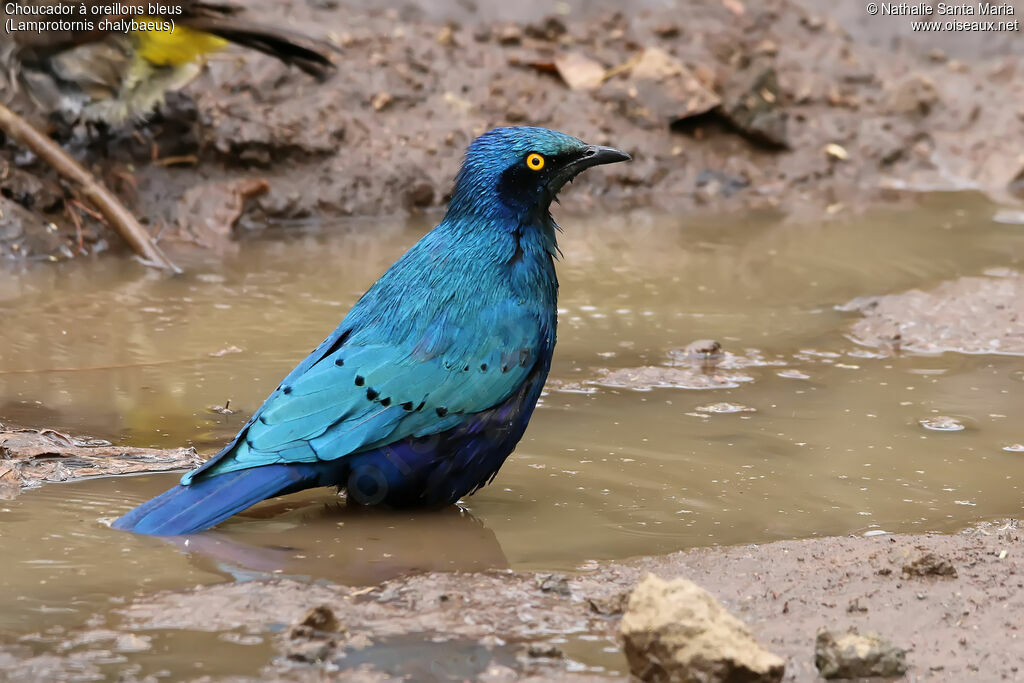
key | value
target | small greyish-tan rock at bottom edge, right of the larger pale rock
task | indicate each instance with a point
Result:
(856, 656)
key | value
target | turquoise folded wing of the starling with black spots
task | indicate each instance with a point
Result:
(350, 396)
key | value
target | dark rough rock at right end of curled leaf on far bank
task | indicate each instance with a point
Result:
(752, 106)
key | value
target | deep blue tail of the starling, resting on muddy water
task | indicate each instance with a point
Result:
(210, 501)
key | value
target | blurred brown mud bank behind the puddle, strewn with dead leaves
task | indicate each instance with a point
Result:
(722, 105)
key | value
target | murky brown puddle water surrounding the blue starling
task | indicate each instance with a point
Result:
(833, 444)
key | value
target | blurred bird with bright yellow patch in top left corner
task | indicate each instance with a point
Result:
(86, 63)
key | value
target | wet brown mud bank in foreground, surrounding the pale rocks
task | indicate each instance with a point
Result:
(951, 602)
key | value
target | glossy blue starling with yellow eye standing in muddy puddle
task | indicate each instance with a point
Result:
(428, 386)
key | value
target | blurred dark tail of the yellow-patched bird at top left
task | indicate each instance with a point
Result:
(312, 56)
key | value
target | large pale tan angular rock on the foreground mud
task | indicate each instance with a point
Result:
(676, 631)
